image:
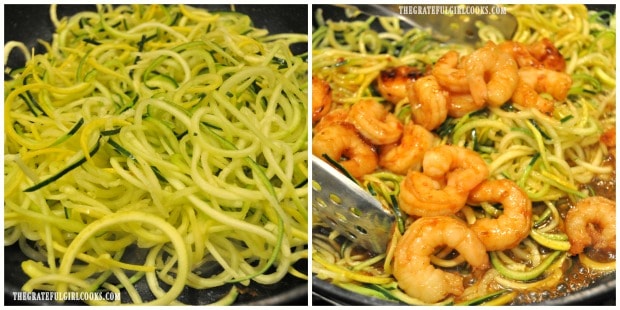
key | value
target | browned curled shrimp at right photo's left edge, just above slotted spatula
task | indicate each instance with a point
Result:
(342, 143)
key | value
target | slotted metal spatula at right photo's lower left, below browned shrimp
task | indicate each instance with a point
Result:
(348, 208)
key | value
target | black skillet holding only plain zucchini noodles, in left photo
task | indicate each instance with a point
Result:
(27, 23)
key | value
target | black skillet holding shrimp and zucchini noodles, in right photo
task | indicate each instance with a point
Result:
(601, 292)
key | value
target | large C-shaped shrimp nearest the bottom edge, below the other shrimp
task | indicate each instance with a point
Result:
(412, 264)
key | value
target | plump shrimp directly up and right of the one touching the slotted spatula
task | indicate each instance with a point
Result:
(375, 122)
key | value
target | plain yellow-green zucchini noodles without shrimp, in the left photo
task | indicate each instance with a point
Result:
(163, 144)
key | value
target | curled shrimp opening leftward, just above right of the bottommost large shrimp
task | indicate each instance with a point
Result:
(510, 228)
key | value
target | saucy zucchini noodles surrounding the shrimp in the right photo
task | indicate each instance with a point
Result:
(557, 158)
